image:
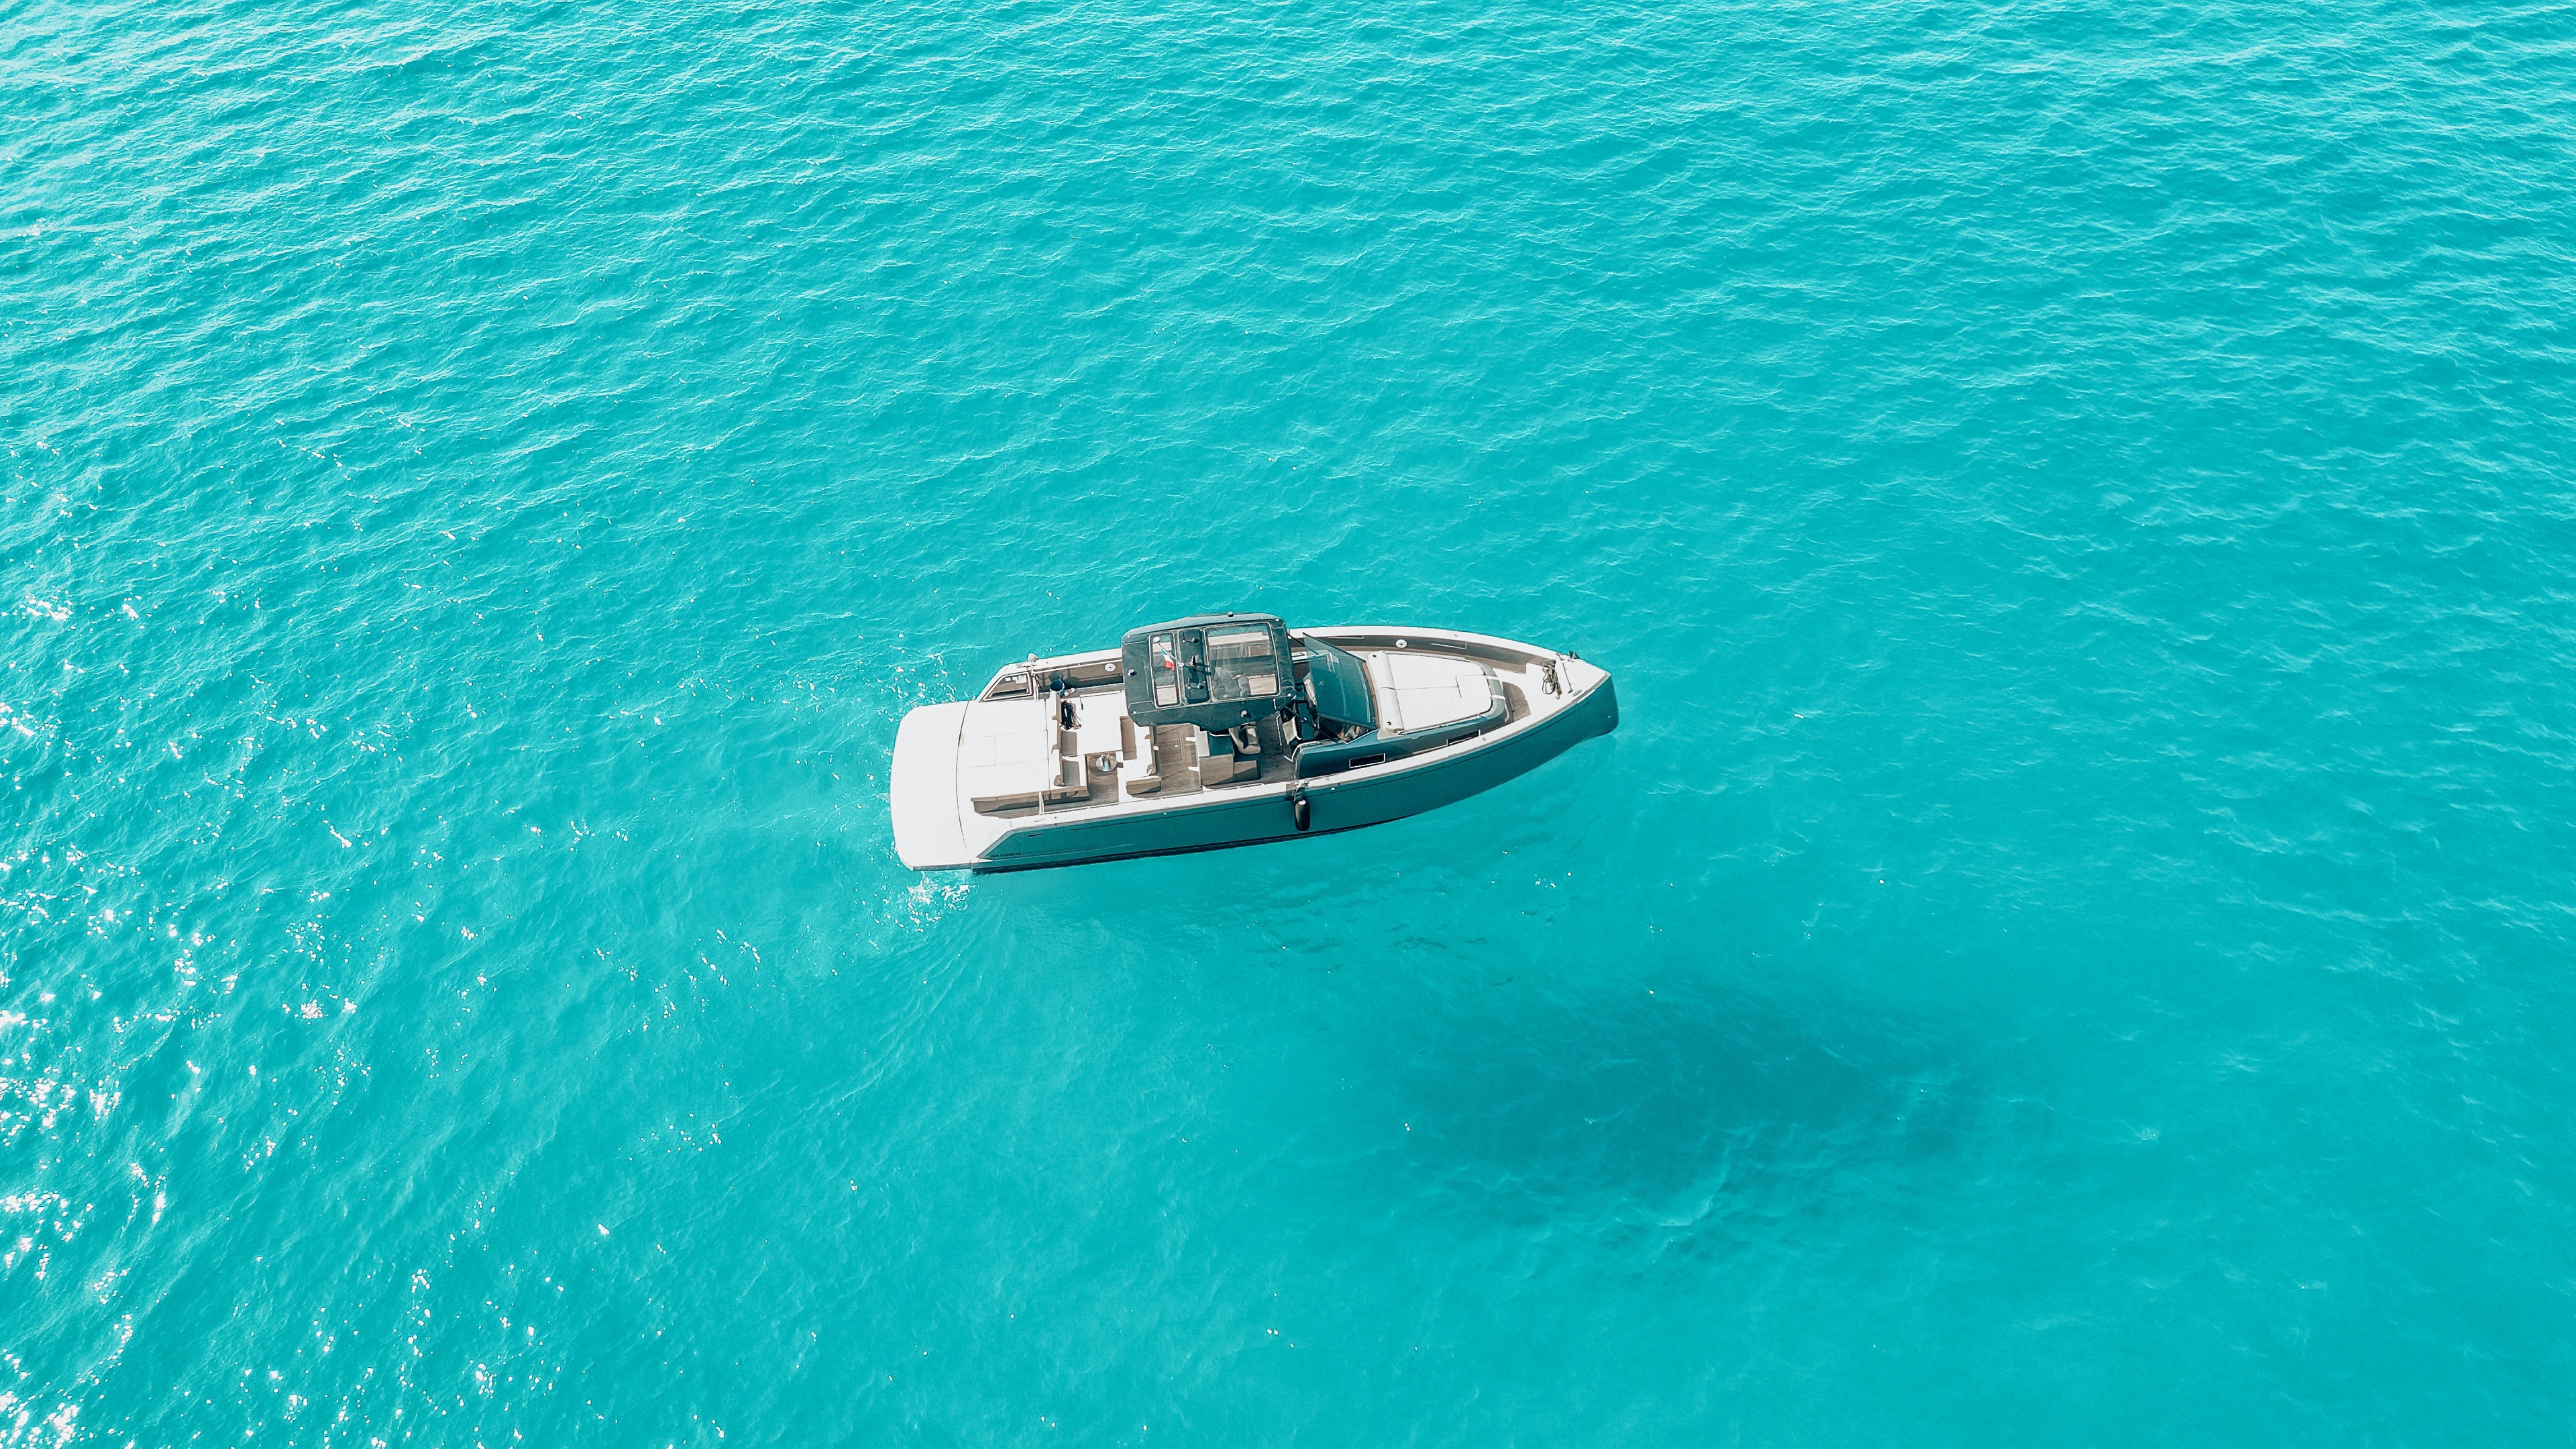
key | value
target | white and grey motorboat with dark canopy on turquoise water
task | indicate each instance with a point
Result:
(1227, 731)
